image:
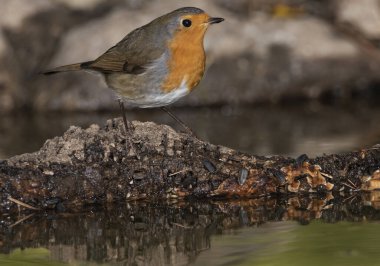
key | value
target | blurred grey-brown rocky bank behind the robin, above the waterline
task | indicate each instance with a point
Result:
(253, 56)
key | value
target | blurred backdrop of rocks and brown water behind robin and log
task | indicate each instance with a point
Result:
(283, 77)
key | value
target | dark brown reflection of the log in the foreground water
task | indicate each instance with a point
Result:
(170, 233)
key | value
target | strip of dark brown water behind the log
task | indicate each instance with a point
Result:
(291, 130)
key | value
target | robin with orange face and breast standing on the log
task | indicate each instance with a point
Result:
(156, 64)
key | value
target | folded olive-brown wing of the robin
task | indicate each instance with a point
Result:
(132, 54)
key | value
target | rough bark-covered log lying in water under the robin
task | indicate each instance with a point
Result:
(97, 166)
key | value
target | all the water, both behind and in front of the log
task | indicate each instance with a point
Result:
(294, 231)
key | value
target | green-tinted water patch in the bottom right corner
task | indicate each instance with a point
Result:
(284, 243)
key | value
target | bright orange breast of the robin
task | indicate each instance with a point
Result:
(187, 59)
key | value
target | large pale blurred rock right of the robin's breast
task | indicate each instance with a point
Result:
(280, 59)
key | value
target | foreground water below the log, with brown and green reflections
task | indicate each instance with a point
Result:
(222, 233)
